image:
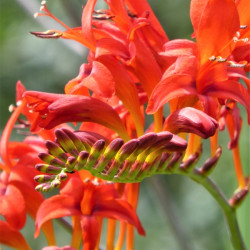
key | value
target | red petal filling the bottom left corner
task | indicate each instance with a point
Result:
(12, 237)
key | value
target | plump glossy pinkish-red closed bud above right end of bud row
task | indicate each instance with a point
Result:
(191, 120)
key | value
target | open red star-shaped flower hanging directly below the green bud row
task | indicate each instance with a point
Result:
(91, 201)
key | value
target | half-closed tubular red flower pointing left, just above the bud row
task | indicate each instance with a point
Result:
(56, 109)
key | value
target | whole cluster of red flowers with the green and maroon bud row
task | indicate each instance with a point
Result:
(133, 70)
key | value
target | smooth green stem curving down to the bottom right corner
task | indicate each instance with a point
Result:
(229, 211)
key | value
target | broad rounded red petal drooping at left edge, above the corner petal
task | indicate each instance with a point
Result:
(14, 215)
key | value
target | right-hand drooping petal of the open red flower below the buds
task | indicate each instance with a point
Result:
(120, 210)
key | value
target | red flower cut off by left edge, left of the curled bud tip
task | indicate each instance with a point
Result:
(18, 187)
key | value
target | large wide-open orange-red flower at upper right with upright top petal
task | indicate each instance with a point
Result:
(200, 72)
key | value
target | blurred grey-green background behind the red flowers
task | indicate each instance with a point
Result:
(176, 213)
